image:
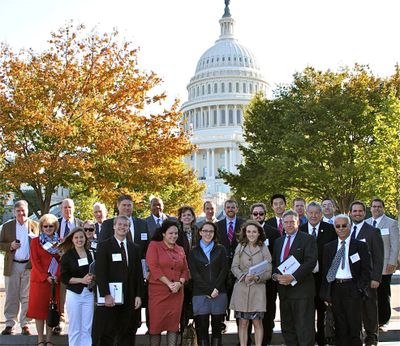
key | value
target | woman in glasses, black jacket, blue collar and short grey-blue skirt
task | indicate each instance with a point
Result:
(208, 266)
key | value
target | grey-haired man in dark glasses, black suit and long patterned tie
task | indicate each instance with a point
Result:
(346, 268)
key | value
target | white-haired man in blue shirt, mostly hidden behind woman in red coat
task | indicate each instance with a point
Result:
(67, 223)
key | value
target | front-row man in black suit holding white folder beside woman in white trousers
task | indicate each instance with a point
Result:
(118, 260)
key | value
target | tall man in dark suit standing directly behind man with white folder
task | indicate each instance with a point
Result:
(138, 231)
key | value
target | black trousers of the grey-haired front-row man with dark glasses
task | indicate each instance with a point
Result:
(346, 308)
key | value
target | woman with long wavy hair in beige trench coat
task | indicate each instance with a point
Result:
(248, 297)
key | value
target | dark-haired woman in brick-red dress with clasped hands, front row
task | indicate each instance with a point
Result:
(168, 273)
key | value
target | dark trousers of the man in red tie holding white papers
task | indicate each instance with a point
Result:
(298, 321)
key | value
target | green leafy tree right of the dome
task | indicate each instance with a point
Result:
(314, 138)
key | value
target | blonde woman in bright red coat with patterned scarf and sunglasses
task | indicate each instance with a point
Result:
(45, 261)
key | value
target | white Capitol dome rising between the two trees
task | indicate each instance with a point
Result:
(226, 78)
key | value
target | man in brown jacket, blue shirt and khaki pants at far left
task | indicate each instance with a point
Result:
(15, 238)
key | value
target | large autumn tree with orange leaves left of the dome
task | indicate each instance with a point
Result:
(79, 115)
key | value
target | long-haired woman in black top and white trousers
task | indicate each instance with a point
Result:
(75, 275)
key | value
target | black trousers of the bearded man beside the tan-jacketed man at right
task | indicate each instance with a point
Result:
(370, 316)
